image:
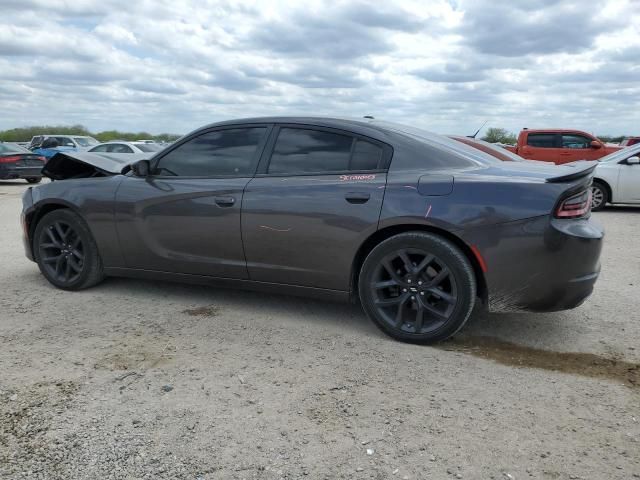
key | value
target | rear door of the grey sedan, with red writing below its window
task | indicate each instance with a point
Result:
(316, 197)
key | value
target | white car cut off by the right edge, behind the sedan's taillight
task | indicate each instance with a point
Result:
(617, 178)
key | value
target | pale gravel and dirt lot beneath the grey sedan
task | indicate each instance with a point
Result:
(136, 379)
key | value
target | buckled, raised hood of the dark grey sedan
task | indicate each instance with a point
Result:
(65, 165)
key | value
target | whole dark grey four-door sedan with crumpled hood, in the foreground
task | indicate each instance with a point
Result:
(415, 226)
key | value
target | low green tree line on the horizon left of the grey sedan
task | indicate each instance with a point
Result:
(24, 134)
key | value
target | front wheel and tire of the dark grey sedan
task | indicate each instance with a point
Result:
(66, 252)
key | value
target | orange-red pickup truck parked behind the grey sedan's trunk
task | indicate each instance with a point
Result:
(560, 146)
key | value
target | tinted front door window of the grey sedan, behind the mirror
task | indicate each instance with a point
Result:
(220, 153)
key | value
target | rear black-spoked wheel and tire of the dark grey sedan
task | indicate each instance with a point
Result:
(417, 287)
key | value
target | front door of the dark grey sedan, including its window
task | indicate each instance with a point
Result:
(185, 217)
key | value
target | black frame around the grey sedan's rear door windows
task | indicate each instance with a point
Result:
(265, 159)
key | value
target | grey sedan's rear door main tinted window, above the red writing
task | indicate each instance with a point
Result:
(310, 151)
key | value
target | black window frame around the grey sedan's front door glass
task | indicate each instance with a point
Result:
(155, 160)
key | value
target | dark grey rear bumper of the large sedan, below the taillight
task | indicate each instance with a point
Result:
(541, 264)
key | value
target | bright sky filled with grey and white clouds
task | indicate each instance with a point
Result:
(446, 65)
